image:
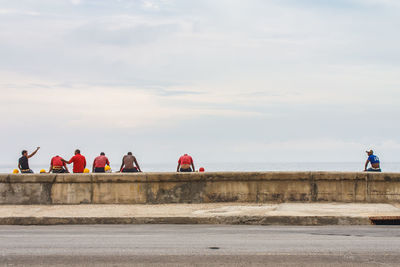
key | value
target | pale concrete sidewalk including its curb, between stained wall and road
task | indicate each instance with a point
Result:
(214, 213)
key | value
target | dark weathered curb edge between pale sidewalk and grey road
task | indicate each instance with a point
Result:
(228, 220)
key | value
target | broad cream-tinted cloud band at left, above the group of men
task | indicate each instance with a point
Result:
(81, 105)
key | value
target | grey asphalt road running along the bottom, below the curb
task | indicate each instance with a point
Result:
(200, 245)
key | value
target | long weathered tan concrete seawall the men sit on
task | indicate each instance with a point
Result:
(155, 188)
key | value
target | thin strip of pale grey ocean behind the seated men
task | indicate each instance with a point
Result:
(236, 167)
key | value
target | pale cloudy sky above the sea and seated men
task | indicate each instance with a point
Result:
(222, 80)
